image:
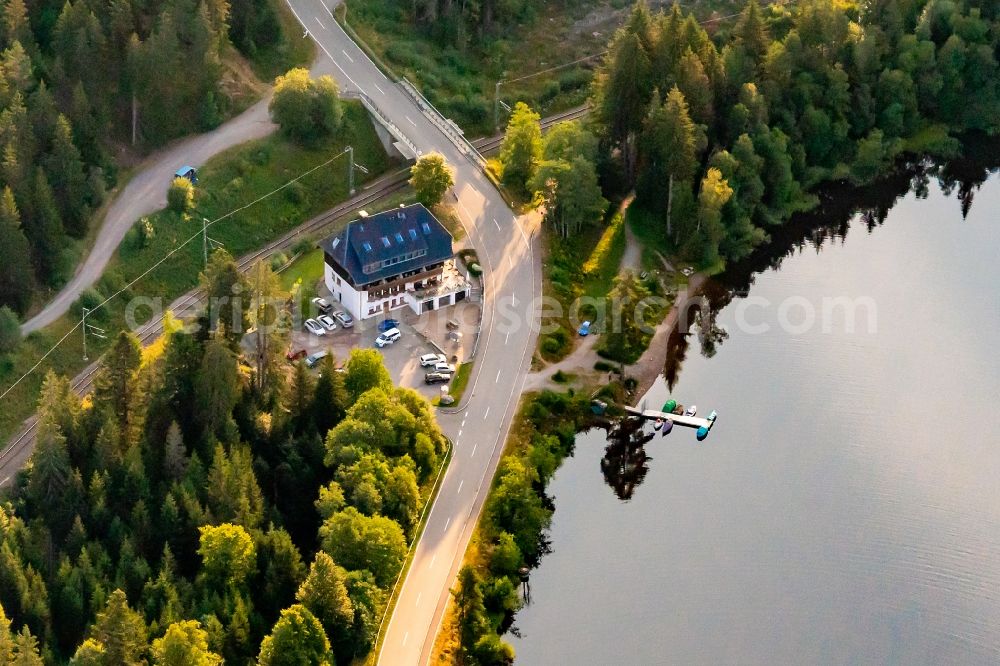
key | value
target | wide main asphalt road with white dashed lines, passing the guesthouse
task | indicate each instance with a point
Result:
(510, 256)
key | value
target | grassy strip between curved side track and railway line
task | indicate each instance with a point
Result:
(229, 180)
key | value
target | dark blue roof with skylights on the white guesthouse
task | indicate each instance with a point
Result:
(386, 244)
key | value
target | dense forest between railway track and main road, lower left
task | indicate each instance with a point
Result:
(196, 508)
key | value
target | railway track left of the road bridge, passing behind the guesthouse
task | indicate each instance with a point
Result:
(83, 383)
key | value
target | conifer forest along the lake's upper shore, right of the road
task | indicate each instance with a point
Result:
(724, 137)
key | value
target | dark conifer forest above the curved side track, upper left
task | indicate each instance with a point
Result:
(73, 77)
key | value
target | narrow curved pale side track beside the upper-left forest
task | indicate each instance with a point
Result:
(146, 192)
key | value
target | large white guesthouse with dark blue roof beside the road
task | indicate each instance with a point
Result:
(401, 257)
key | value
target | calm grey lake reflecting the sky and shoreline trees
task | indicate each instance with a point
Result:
(846, 507)
